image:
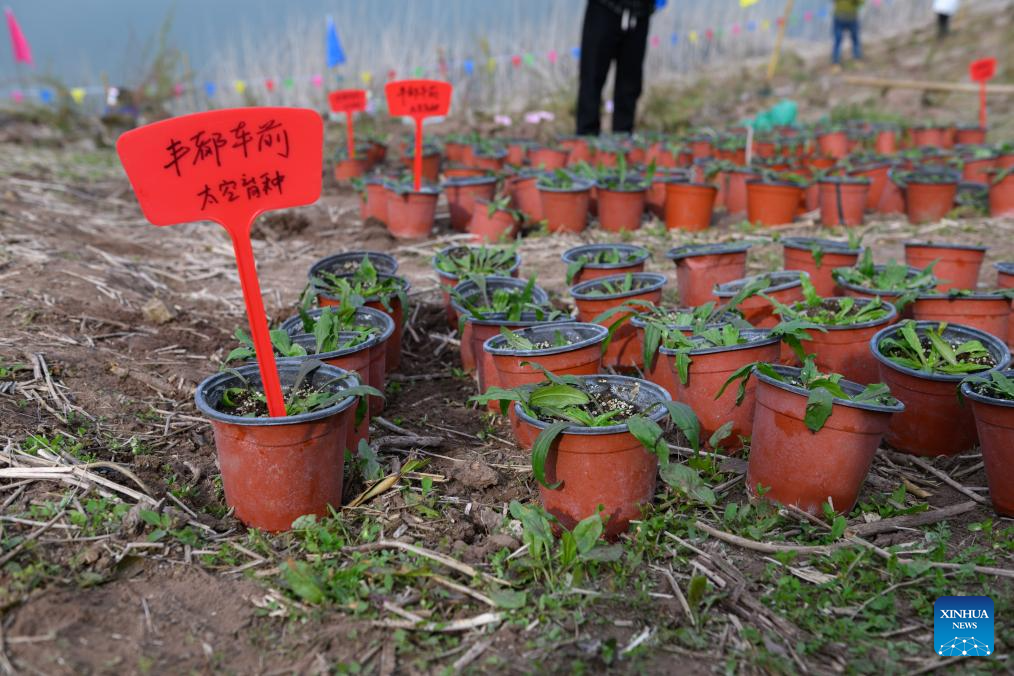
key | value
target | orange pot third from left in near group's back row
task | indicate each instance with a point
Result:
(700, 268)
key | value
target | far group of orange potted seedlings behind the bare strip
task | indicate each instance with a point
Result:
(494, 189)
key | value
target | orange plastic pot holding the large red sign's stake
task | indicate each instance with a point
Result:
(276, 470)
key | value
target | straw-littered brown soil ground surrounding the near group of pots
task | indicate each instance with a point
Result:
(126, 559)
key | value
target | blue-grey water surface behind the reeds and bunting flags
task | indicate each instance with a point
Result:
(78, 41)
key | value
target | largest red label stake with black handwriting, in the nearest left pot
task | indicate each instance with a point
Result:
(230, 167)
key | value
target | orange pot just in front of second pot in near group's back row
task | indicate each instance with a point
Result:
(624, 350)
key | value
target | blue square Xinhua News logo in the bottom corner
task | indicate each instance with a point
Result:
(963, 627)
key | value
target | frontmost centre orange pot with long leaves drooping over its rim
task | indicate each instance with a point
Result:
(601, 467)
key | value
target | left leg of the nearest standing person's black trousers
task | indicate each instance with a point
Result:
(601, 39)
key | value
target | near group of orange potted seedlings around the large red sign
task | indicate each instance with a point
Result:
(337, 354)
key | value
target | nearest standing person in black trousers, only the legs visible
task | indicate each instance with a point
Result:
(614, 31)
